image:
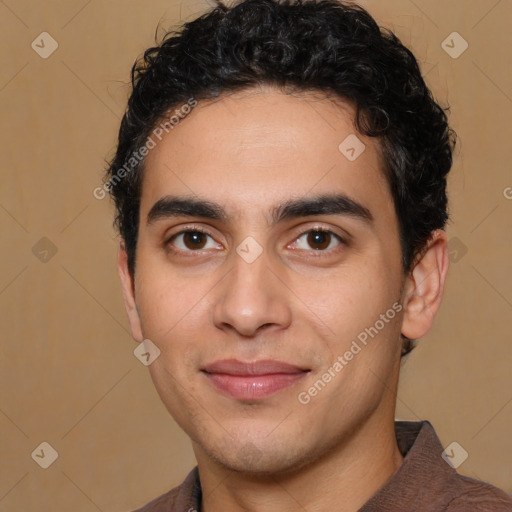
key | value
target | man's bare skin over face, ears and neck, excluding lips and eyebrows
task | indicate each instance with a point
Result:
(249, 152)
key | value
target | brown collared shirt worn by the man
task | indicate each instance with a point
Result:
(424, 482)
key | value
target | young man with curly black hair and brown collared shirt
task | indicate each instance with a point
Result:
(280, 186)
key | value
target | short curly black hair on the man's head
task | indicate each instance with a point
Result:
(321, 45)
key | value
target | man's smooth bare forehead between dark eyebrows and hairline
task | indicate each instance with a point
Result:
(260, 147)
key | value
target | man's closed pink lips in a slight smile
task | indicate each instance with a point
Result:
(252, 380)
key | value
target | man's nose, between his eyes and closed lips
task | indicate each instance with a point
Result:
(252, 298)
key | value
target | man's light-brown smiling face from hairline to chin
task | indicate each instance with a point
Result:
(268, 274)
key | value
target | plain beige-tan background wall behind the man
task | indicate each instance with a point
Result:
(68, 375)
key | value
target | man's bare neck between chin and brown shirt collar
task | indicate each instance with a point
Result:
(343, 479)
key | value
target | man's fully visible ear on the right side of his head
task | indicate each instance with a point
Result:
(423, 290)
